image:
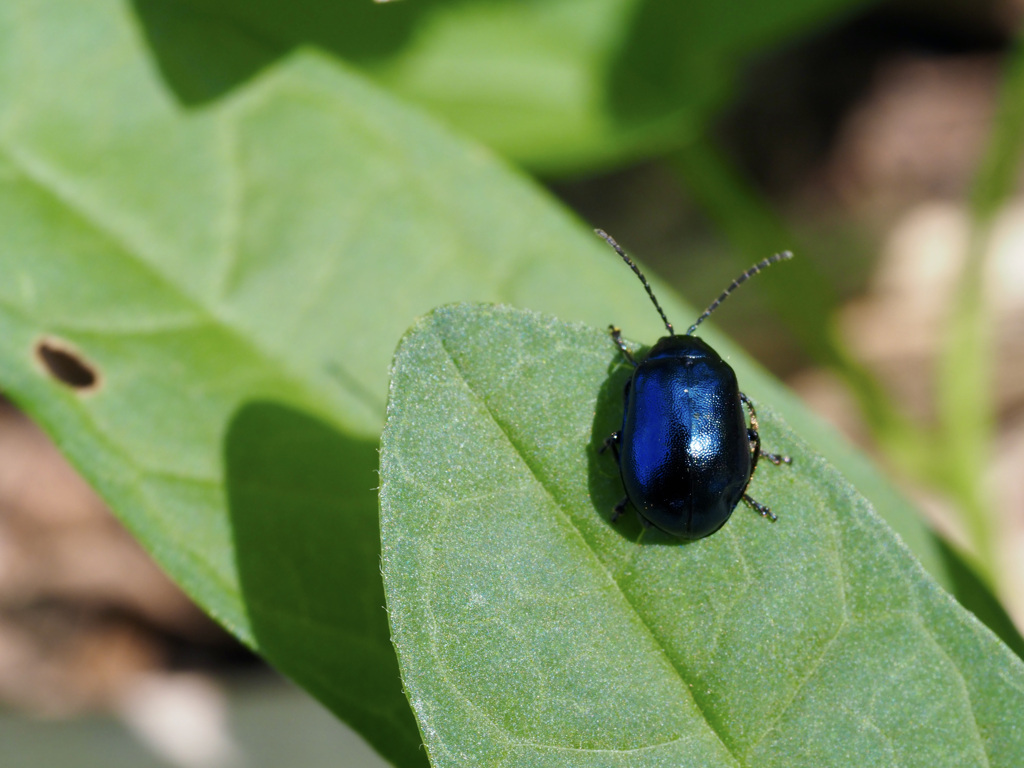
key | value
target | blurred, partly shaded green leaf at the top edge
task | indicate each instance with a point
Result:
(561, 86)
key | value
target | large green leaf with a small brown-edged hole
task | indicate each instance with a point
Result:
(238, 277)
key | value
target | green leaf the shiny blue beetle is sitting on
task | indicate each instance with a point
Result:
(531, 631)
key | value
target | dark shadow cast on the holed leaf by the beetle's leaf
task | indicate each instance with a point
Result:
(304, 514)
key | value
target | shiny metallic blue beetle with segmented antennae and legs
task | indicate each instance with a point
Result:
(686, 452)
